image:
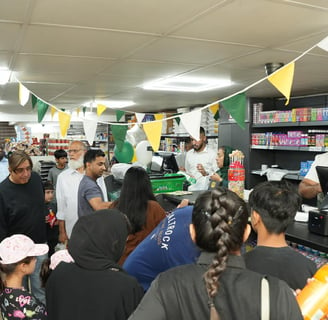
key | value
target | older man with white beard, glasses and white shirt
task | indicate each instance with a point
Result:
(67, 190)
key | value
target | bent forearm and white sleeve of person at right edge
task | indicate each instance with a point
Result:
(310, 187)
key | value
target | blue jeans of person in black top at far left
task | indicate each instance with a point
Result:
(33, 281)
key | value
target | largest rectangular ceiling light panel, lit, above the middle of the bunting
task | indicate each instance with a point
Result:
(187, 84)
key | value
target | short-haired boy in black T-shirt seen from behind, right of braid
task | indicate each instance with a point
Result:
(273, 206)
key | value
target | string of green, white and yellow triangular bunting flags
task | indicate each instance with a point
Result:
(282, 79)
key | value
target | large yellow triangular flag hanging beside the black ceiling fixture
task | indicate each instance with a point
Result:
(283, 79)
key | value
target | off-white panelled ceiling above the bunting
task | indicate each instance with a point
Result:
(68, 52)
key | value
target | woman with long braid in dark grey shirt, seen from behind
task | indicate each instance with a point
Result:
(218, 286)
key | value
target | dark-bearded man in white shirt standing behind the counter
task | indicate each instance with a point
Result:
(200, 162)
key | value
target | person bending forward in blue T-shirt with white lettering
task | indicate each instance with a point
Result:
(167, 246)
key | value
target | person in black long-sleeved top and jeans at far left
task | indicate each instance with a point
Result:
(22, 209)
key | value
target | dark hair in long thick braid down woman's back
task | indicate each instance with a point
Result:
(219, 218)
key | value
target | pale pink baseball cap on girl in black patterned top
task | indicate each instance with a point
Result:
(18, 247)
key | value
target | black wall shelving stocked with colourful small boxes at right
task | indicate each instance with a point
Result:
(286, 144)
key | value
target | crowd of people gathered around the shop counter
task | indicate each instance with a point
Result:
(129, 258)
